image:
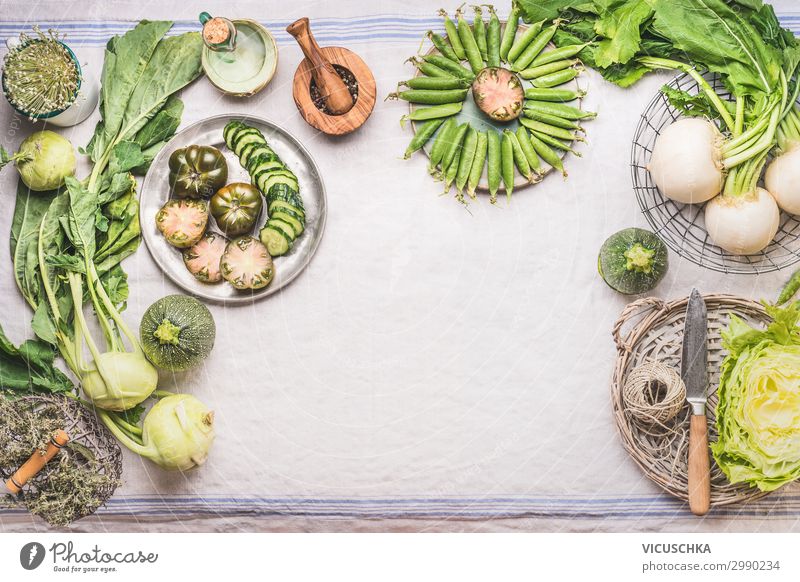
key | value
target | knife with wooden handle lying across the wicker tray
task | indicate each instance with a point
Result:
(694, 372)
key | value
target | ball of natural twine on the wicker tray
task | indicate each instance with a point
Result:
(654, 393)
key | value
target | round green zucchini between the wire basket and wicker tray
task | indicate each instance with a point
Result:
(633, 261)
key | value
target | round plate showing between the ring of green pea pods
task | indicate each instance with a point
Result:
(472, 114)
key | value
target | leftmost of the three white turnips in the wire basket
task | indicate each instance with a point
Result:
(686, 164)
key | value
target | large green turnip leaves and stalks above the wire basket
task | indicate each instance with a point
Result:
(740, 40)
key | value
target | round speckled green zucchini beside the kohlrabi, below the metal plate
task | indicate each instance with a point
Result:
(177, 333)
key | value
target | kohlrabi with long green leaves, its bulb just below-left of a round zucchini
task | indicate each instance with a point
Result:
(68, 245)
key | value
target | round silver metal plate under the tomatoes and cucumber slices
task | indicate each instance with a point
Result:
(155, 193)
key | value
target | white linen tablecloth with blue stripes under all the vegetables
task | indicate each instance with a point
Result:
(433, 369)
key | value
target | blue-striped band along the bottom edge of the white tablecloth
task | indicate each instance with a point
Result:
(596, 508)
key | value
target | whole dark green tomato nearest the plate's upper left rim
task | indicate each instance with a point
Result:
(197, 171)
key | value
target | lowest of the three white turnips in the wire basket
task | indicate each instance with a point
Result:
(744, 224)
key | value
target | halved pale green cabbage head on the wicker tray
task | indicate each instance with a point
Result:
(758, 415)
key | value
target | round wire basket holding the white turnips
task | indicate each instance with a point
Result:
(682, 226)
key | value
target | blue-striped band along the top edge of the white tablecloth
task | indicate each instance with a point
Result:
(380, 27)
